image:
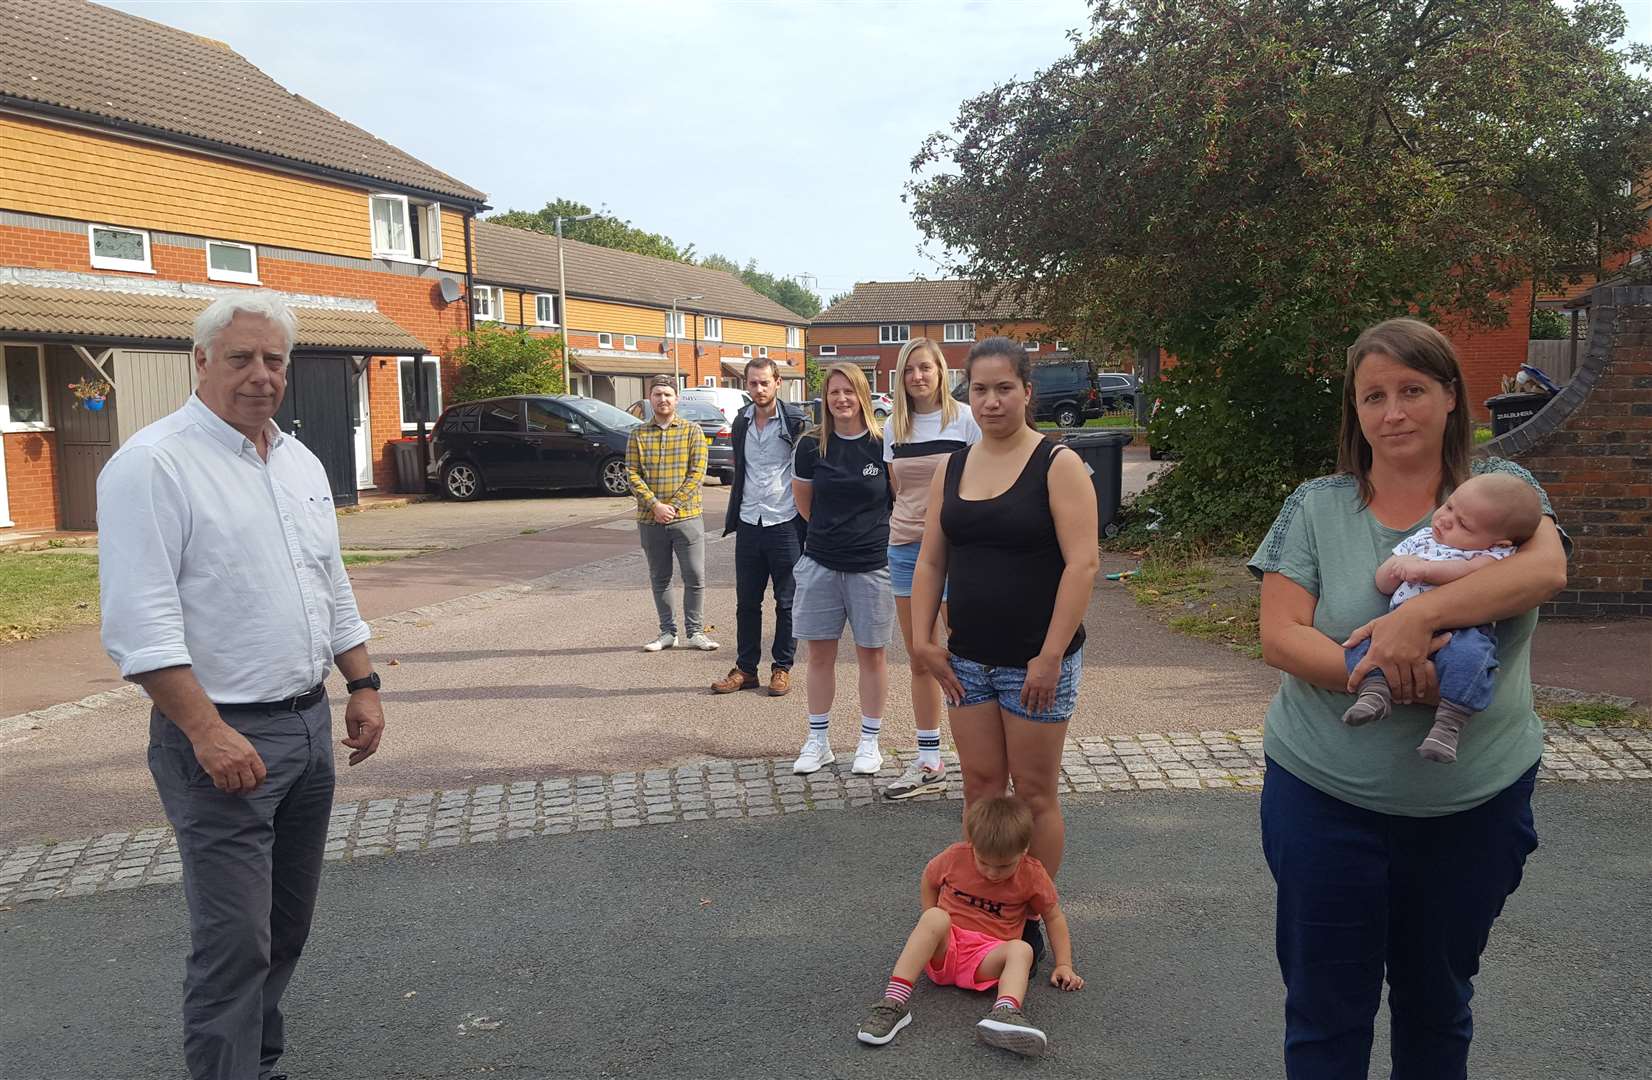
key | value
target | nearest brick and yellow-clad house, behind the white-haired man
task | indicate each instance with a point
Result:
(146, 171)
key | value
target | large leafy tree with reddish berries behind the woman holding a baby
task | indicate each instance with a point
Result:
(1251, 182)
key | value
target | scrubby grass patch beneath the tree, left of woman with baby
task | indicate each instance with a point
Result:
(1208, 597)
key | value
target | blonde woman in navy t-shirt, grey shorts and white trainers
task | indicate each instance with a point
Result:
(842, 486)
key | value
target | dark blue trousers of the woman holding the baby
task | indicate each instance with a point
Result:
(1362, 894)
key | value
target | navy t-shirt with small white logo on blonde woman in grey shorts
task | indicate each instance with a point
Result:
(850, 514)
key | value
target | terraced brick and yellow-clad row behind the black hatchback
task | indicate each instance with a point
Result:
(620, 315)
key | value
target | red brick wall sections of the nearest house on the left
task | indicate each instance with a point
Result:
(411, 303)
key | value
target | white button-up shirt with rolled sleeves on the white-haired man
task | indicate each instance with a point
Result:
(211, 557)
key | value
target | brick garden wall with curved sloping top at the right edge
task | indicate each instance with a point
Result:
(1592, 450)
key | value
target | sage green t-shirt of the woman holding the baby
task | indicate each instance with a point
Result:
(1331, 546)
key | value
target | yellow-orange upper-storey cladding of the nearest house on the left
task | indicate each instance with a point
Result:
(72, 174)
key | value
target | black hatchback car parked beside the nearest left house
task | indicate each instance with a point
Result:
(529, 442)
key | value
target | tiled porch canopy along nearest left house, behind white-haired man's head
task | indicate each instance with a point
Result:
(108, 318)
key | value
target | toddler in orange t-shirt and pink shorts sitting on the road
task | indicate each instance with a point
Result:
(977, 899)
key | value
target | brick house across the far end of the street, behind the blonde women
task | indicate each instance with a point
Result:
(871, 324)
